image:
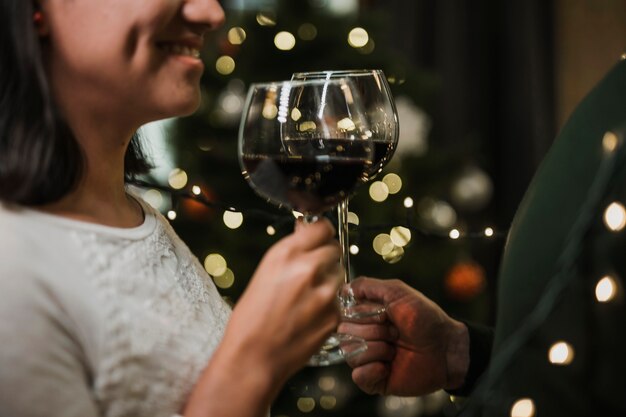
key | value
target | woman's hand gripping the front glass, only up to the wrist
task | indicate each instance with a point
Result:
(289, 307)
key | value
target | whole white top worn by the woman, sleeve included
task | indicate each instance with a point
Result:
(101, 321)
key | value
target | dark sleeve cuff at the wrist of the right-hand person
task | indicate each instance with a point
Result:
(481, 342)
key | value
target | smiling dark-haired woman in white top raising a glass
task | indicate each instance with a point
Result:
(103, 310)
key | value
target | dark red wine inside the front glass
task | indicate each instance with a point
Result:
(310, 183)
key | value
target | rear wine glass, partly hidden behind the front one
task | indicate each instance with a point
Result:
(382, 118)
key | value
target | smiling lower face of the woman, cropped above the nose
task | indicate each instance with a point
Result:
(137, 60)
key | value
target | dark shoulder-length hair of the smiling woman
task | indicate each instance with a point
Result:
(40, 158)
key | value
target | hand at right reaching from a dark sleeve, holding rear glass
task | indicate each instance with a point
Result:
(415, 349)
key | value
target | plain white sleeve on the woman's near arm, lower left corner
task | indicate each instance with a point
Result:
(42, 367)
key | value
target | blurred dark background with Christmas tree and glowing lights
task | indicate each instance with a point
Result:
(482, 87)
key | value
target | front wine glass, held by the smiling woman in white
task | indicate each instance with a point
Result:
(304, 146)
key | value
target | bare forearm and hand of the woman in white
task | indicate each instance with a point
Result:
(283, 317)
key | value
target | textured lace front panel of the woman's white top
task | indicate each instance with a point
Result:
(164, 318)
